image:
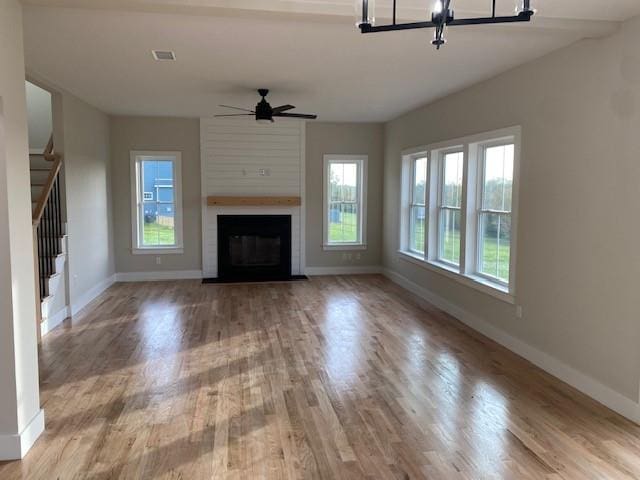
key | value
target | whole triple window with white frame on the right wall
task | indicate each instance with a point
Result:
(458, 209)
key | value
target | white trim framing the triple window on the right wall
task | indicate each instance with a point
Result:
(467, 272)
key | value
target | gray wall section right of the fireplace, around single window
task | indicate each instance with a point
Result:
(352, 139)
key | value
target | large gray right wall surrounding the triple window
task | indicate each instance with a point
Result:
(577, 260)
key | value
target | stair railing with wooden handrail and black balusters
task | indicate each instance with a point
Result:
(48, 226)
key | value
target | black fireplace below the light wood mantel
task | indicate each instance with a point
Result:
(254, 247)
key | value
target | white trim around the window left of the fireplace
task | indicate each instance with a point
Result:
(136, 248)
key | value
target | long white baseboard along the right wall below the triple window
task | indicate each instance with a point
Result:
(578, 380)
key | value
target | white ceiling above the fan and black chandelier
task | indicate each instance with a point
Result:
(308, 52)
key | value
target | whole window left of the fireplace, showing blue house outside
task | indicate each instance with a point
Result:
(156, 202)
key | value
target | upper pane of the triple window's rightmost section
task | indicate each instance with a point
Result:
(498, 178)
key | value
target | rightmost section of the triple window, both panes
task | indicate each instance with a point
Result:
(494, 213)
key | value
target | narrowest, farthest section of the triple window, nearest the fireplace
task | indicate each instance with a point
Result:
(418, 205)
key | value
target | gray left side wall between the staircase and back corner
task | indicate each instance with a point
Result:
(87, 178)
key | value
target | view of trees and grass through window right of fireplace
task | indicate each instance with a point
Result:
(344, 202)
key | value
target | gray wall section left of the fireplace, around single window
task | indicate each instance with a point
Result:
(155, 133)
